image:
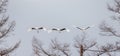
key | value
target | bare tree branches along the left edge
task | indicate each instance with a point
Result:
(6, 28)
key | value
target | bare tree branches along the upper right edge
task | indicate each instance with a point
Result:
(106, 28)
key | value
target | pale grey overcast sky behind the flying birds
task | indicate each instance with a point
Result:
(53, 13)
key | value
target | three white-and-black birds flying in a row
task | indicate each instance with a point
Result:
(56, 29)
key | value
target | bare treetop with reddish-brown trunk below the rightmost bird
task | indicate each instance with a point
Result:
(82, 44)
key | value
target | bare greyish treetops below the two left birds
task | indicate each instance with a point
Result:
(55, 49)
